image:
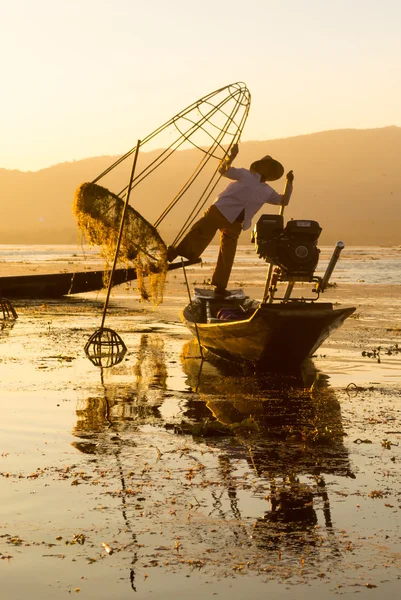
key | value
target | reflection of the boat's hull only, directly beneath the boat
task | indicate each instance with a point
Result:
(290, 408)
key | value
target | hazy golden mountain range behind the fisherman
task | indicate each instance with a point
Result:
(347, 180)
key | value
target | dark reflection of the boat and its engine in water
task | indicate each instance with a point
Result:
(300, 433)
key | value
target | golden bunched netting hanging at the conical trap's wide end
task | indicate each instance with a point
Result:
(98, 212)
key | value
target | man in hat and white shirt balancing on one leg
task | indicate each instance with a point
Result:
(232, 213)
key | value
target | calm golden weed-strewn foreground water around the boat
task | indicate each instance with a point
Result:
(197, 478)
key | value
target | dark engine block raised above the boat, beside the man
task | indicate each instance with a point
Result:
(293, 248)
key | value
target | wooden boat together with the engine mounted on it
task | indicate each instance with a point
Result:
(276, 333)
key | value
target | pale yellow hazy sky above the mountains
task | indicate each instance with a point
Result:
(83, 78)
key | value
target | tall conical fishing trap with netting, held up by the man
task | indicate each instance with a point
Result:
(209, 128)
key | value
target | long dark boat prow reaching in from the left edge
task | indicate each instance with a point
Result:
(56, 285)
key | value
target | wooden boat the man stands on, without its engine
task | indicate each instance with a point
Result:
(265, 335)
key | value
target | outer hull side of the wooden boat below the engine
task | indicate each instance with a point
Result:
(276, 336)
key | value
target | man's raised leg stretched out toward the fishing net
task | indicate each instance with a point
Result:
(199, 236)
